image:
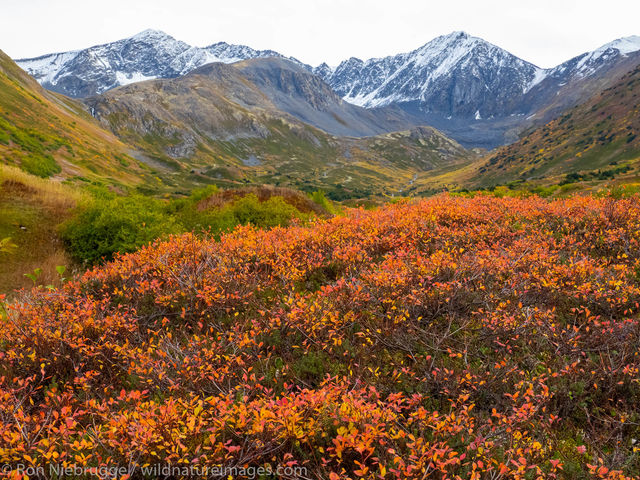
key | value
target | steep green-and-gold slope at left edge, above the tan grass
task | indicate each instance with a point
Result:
(47, 134)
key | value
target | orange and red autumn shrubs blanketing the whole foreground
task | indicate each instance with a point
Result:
(450, 338)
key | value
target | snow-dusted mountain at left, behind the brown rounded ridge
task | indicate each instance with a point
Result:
(147, 55)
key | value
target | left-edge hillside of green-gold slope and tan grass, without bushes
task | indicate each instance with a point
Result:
(51, 136)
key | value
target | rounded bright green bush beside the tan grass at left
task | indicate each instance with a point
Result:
(116, 224)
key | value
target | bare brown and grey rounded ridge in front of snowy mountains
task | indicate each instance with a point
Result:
(245, 123)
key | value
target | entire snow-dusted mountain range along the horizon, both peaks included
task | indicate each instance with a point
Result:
(474, 91)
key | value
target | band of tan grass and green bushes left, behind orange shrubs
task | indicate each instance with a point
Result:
(46, 225)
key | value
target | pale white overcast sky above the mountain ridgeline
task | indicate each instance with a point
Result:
(545, 32)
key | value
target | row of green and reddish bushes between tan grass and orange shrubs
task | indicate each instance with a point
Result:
(110, 223)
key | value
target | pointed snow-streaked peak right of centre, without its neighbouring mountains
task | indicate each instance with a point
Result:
(455, 74)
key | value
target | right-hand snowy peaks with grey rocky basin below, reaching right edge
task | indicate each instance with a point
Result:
(476, 92)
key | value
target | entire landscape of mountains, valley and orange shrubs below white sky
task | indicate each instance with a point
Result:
(223, 259)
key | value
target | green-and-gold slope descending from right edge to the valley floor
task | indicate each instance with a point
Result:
(595, 143)
